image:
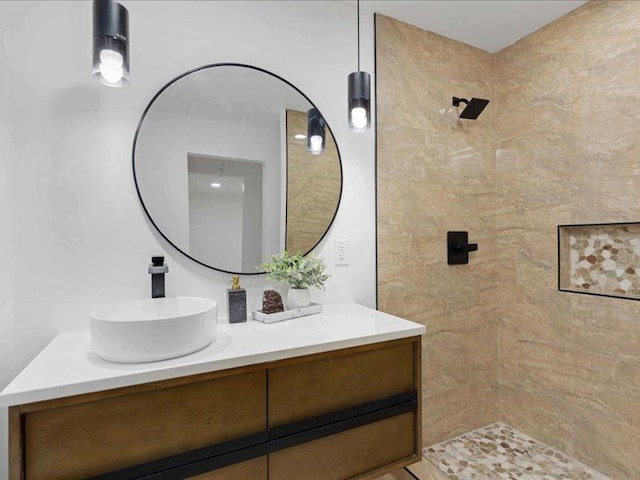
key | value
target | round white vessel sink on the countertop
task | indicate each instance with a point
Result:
(153, 329)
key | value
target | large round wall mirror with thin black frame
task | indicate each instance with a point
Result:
(233, 163)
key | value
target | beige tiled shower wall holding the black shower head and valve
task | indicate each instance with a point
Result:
(436, 175)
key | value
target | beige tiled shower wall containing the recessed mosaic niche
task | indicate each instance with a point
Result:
(568, 152)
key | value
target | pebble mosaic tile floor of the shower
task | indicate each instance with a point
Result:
(499, 451)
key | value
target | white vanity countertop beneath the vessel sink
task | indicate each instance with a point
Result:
(67, 366)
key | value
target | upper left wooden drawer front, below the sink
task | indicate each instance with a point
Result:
(92, 438)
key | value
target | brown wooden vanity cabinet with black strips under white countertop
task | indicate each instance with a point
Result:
(351, 413)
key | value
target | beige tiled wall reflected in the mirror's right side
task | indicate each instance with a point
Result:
(313, 186)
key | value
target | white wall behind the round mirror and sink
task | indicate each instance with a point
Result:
(80, 238)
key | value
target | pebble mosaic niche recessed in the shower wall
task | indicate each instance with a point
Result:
(600, 259)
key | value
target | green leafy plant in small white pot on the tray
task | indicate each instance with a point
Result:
(299, 272)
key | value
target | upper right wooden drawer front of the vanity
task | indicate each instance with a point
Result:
(321, 386)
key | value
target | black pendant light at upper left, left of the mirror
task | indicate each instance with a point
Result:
(110, 43)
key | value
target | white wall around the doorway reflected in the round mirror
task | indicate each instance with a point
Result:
(163, 143)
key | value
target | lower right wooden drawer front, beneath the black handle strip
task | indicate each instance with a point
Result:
(348, 454)
